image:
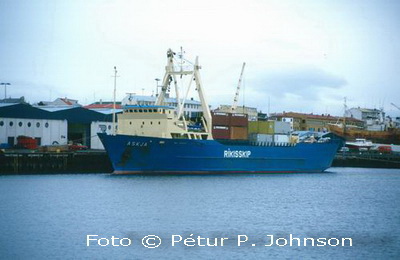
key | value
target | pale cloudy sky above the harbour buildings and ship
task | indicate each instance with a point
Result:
(302, 55)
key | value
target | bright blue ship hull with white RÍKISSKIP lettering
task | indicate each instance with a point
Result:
(149, 155)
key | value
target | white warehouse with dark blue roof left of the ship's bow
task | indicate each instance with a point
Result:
(66, 126)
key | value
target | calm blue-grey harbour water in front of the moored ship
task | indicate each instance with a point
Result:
(50, 216)
